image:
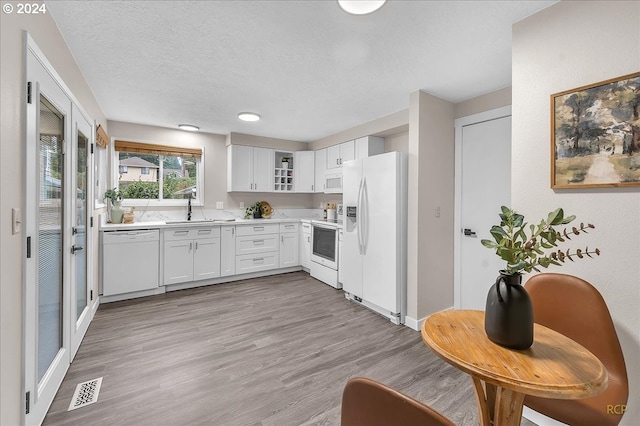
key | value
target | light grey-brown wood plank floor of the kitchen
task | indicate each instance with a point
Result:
(267, 351)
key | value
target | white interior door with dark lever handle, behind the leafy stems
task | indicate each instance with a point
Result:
(483, 184)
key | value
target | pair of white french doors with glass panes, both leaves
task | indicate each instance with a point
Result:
(57, 270)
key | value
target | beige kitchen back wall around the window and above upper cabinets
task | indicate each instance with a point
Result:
(215, 149)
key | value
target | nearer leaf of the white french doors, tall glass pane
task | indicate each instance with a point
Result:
(47, 300)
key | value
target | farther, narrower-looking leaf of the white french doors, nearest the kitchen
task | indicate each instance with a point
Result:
(80, 235)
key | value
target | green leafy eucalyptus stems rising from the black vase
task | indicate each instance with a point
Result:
(539, 247)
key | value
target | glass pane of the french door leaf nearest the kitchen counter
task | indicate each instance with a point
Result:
(80, 224)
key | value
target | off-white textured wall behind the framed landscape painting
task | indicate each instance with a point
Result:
(568, 45)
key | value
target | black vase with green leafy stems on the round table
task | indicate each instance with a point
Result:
(525, 248)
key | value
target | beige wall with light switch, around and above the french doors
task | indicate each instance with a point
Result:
(45, 33)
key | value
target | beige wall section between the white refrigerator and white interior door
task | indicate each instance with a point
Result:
(431, 184)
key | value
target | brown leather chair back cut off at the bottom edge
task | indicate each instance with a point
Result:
(366, 402)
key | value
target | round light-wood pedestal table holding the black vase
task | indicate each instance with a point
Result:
(553, 367)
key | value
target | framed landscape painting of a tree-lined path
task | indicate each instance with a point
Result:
(595, 135)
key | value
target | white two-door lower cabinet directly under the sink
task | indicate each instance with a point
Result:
(191, 254)
